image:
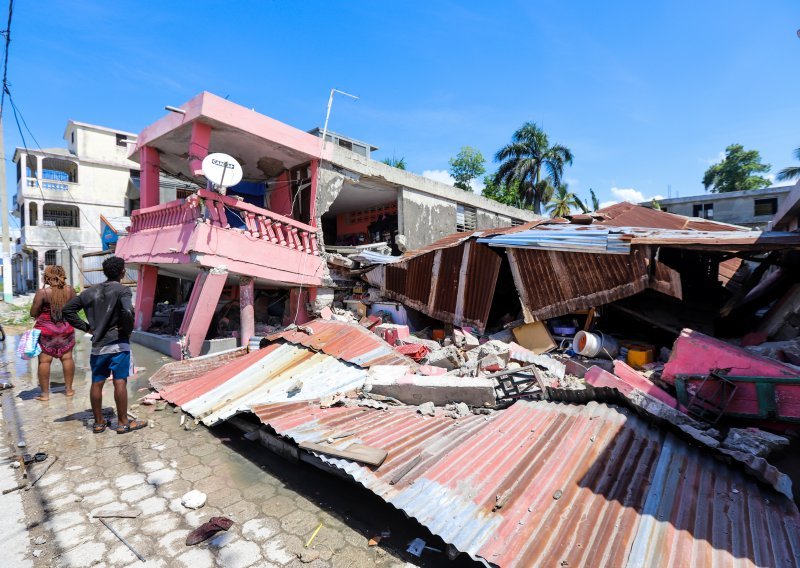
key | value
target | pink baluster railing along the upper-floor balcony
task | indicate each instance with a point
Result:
(259, 223)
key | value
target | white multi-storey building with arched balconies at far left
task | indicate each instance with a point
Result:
(61, 194)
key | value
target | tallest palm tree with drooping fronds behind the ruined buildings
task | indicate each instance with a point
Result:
(524, 159)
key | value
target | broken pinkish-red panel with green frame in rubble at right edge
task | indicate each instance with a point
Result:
(697, 354)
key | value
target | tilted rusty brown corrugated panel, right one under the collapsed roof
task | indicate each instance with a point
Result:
(552, 283)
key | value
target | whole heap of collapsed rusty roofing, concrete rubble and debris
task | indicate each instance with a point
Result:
(485, 382)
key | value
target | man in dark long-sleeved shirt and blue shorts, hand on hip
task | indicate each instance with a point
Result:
(110, 313)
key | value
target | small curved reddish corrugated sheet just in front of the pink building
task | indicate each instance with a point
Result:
(346, 341)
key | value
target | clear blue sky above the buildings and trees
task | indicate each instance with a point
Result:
(646, 94)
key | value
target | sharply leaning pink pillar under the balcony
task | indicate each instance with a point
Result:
(200, 310)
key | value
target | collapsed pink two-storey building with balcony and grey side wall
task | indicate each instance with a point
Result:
(268, 235)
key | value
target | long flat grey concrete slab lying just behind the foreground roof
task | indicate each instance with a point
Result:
(442, 390)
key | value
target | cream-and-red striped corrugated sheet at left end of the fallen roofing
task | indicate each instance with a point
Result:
(278, 373)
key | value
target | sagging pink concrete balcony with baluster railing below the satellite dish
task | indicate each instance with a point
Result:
(183, 236)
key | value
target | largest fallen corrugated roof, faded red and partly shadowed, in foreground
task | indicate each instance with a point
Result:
(546, 484)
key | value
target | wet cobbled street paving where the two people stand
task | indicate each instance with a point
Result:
(276, 505)
